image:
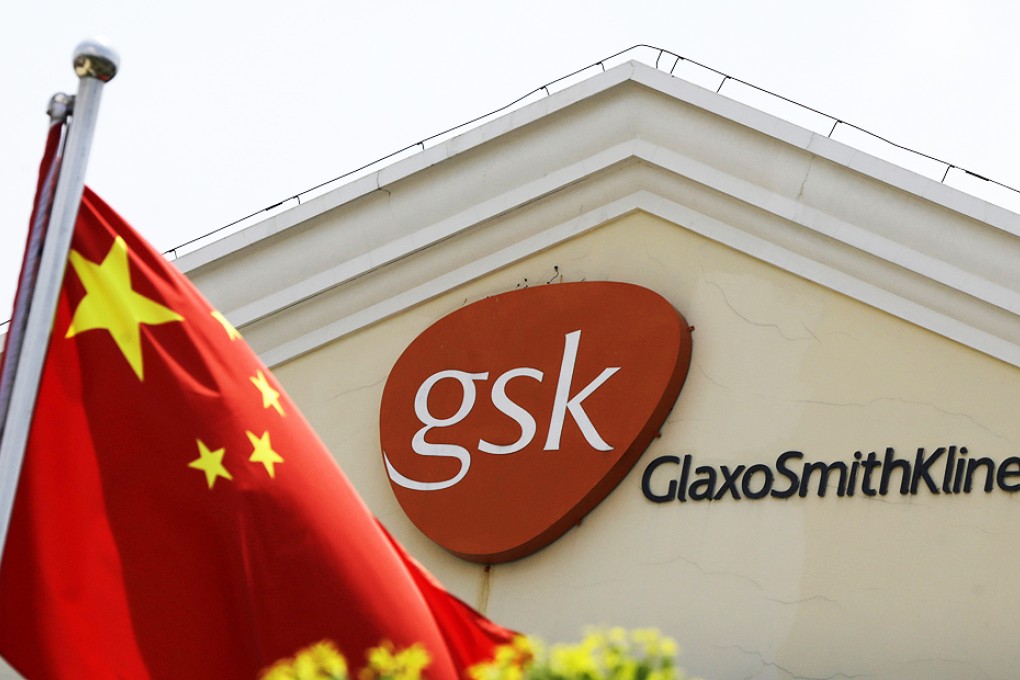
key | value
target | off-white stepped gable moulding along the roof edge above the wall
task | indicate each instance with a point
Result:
(633, 139)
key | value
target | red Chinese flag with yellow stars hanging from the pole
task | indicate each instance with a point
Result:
(177, 517)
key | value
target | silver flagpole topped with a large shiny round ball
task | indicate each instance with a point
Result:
(95, 64)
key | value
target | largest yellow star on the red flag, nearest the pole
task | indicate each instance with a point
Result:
(111, 304)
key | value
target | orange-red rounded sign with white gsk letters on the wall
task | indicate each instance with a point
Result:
(505, 423)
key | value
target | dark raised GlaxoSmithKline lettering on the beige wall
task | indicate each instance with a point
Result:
(943, 470)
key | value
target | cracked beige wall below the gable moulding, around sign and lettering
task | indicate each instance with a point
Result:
(897, 587)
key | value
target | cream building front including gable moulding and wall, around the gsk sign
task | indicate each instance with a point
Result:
(833, 494)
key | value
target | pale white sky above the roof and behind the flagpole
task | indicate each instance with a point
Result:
(223, 109)
